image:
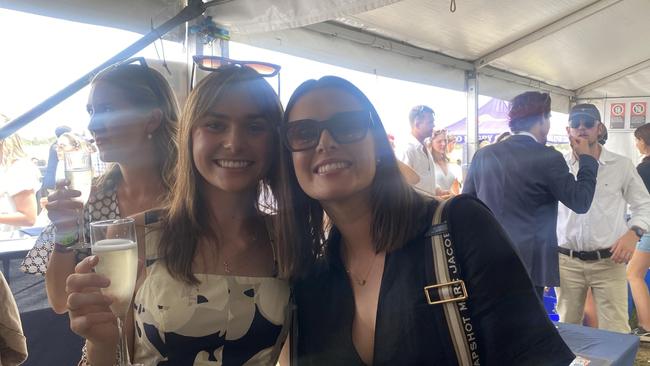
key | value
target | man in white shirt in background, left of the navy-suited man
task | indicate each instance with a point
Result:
(414, 153)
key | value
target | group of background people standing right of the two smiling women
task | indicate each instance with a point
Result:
(578, 221)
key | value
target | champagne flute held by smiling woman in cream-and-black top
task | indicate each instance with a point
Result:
(114, 243)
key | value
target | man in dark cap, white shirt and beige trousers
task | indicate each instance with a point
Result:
(595, 246)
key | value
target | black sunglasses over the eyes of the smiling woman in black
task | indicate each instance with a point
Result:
(344, 127)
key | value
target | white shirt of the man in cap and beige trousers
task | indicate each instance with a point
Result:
(617, 185)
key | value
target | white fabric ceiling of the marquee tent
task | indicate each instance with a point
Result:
(556, 45)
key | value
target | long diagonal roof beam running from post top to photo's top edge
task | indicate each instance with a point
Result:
(544, 31)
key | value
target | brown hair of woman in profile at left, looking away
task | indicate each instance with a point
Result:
(146, 88)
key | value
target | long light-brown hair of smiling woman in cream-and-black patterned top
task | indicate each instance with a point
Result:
(188, 219)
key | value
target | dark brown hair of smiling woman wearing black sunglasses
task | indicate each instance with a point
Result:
(396, 208)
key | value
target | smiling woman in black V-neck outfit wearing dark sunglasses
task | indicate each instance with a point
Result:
(359, 282)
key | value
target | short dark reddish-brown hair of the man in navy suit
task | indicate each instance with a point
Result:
(527, 109)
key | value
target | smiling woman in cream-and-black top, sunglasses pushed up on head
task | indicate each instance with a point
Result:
(209, 292)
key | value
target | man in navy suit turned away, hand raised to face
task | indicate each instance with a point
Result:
(521, 180)
